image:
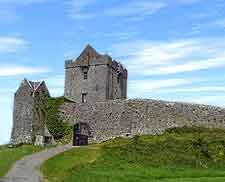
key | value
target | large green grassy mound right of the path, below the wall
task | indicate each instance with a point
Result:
(179, 155)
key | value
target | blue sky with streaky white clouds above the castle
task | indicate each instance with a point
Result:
(173, 49)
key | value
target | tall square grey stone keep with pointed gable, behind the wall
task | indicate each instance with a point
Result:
(93, 77)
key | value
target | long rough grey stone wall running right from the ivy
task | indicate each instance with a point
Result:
(130, 117)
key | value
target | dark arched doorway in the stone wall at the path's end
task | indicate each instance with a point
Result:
(81, 132)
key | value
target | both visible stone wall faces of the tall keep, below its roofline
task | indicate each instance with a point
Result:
(103, 83)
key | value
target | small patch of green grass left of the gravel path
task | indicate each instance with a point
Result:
(8, 156)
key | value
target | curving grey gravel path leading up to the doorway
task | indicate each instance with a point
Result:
(27, 169)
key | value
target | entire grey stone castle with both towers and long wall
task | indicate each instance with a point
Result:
(96, 87)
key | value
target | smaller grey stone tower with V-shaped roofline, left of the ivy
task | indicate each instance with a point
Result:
(29, 114)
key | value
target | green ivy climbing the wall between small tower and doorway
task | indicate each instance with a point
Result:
(56, 126)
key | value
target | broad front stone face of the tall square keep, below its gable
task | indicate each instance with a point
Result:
(95, 85)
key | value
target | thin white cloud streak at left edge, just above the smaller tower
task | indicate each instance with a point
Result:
(20, 70)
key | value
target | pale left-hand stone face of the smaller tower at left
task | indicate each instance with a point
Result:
(23, 116)
